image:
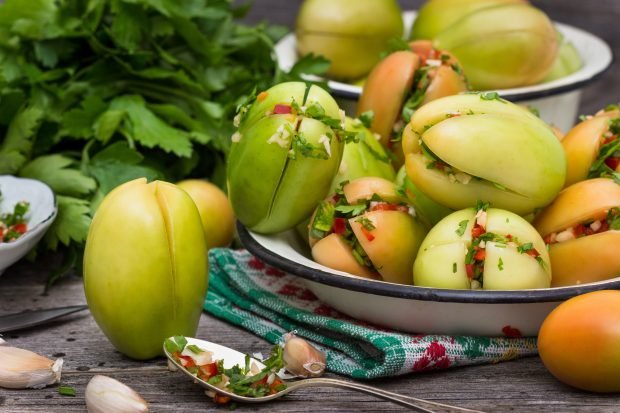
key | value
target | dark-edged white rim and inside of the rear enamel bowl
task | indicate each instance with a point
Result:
(591, 70)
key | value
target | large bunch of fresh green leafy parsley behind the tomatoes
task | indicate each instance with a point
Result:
(94, 93)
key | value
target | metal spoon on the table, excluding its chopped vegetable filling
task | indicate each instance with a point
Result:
(232, 357)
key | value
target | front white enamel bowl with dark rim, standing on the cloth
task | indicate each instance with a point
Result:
(415, 309)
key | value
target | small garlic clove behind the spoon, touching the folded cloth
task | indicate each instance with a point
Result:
(301, 358)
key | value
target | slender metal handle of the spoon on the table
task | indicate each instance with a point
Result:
(419, 405)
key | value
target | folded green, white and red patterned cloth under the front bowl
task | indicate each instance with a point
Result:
(269, 303)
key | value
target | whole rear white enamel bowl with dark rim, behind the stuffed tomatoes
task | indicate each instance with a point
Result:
(557, 101)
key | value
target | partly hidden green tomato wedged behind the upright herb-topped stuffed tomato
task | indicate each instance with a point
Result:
(364, 156)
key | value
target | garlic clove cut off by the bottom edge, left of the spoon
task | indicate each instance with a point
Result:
(107, 395)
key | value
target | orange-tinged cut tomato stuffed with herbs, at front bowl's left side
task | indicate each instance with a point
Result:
(367, 229)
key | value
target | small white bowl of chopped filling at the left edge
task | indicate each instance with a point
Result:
(40, 216)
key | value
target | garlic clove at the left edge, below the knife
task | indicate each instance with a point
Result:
(20, 369)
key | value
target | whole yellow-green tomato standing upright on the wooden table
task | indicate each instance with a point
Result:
(145, 266)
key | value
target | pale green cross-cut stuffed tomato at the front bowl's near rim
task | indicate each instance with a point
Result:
(492, 250)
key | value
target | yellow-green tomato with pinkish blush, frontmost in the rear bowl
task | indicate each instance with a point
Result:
(502, 47)
